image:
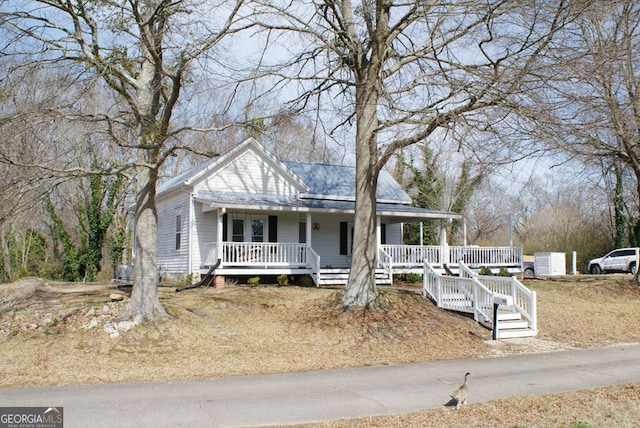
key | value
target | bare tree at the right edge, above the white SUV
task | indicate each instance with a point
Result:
(593, 101)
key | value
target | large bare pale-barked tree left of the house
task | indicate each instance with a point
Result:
(144, 52)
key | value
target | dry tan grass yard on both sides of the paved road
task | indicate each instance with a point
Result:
(61, 334)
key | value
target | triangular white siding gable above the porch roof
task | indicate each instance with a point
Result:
(248, 173)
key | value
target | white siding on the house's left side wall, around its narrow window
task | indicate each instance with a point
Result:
(170, 259)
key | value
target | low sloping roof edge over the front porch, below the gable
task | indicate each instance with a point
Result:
(400, 212)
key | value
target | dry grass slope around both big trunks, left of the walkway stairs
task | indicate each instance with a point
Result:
(217, 332)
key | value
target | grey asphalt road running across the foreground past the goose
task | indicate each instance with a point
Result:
(293, 398)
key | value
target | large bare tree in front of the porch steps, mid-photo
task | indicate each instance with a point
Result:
(402, 71)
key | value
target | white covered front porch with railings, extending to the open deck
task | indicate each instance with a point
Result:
(314, 237)
